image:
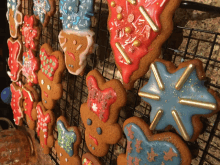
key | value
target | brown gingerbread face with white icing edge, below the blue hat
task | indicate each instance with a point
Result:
(76, 46)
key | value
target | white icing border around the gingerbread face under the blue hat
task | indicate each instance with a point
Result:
(82, 57)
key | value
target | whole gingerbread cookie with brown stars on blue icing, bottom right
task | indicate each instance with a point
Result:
(145, 148)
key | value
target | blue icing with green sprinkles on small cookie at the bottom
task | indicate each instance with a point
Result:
(66, 138)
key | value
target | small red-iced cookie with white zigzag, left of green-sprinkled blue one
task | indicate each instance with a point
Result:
(45, 123)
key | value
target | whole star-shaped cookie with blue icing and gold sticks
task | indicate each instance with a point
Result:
(178, 97)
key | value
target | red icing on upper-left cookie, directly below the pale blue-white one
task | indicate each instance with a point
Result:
(29, 32)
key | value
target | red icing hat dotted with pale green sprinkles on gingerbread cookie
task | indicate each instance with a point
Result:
(49, 64)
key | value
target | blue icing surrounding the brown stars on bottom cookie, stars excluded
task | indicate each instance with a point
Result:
(159, 147)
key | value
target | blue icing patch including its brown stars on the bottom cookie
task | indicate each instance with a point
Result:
(151, 152)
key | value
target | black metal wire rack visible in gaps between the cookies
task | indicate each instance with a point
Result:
(207, 148)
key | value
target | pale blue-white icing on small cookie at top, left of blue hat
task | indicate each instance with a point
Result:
(41, 7)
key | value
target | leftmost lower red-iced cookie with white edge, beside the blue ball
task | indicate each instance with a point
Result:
(16, 103)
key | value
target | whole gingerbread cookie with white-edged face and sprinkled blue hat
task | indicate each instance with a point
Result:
(76, 38)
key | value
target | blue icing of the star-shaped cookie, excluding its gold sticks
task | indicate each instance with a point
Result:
(193, 89)
